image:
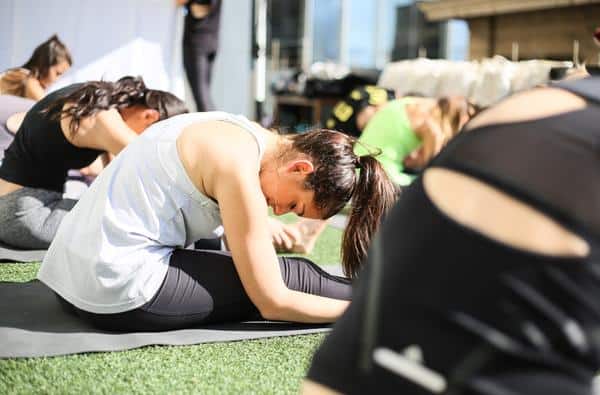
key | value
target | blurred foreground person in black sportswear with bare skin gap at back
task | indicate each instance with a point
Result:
(485, 278)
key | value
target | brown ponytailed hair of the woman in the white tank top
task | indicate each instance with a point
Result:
(341, 176)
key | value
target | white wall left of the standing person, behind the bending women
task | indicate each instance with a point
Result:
(107, 39)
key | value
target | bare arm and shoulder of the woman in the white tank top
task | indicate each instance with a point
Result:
(231, 178)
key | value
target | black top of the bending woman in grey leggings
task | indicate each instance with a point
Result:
(40, 156)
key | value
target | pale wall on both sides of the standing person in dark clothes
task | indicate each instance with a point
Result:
(112, 38)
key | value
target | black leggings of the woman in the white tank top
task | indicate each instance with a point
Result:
(203, 287)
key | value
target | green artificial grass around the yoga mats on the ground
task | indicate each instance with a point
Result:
(265, 366)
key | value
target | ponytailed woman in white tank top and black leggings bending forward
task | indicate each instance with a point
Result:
(118, 256)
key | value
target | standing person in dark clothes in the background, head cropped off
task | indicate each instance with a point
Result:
(200, 44)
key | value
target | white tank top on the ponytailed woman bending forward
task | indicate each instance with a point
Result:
(112, 251)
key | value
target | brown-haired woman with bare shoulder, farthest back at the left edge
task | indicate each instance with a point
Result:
(49, 61)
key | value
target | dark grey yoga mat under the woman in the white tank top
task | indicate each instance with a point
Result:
(33, 323)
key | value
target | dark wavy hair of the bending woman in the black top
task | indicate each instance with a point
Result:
(96, 96)
